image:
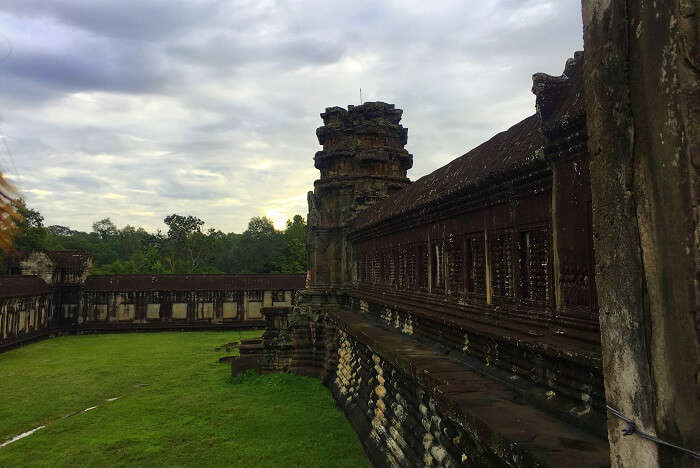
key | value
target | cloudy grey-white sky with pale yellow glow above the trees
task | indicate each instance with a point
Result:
(136, 109)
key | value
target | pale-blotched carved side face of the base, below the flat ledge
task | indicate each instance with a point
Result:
(397, 420)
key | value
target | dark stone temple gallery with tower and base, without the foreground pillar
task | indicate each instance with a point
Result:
(454, 318)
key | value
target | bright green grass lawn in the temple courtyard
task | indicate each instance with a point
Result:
(177, 406)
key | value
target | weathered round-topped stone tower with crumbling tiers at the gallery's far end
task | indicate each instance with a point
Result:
(363, 160)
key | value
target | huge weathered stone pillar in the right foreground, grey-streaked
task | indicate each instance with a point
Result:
(642, 91)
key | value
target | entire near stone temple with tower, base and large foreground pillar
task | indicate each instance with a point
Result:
(490, 313)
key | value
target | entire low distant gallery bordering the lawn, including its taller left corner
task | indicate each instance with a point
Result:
(50, 293)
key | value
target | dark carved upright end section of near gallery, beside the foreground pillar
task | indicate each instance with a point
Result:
(561, 107)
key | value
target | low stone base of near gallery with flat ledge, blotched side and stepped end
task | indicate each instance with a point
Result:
(412, 403)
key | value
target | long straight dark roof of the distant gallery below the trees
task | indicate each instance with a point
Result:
(194, 282)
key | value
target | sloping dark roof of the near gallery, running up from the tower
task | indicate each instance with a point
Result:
(507, 151)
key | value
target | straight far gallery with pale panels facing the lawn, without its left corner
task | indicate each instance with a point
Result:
(191, 300)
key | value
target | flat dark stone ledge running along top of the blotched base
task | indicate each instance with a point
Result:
(516, 433)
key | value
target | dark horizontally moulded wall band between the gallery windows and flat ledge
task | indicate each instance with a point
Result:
(555, 372)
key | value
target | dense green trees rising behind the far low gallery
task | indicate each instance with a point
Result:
(184, 248)
